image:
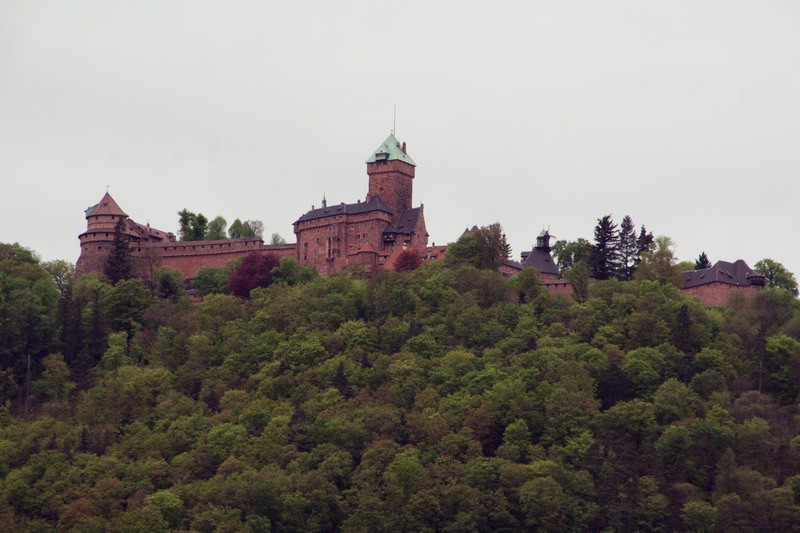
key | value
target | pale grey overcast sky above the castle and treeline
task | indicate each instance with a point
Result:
(684, 115)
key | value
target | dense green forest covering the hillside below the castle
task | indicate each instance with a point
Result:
(442, 398)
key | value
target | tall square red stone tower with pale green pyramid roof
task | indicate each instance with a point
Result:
(391, 172)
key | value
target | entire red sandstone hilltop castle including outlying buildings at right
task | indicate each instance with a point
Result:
(371, 234)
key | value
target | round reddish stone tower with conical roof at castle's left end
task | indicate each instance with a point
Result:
(101, 220)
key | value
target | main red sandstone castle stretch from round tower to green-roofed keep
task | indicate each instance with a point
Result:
(371, 233)
